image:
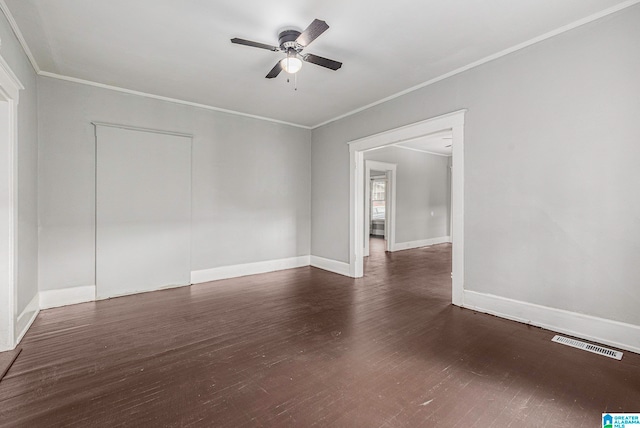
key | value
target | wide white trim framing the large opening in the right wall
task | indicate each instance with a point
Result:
(452, 121)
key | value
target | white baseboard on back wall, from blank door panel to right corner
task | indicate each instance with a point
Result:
(234, 271)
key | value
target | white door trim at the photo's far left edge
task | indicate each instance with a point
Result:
(10, 87)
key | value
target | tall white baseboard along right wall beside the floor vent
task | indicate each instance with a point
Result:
(601, 330)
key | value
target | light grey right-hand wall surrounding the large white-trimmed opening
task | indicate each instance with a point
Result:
(551, 154)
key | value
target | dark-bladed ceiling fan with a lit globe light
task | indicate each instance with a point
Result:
(292, 42)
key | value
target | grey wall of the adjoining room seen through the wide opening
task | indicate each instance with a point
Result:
(422, 187)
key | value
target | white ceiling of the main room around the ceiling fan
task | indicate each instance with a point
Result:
(180, 48)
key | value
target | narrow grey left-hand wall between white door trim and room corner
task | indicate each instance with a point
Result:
(27, 235)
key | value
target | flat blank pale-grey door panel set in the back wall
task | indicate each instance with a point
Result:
(143, 211)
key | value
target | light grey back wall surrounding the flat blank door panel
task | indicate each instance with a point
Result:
(251, 181)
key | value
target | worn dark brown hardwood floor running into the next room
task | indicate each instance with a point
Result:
(305, 347)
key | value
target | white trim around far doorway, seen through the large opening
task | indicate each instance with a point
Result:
(390, 168)
